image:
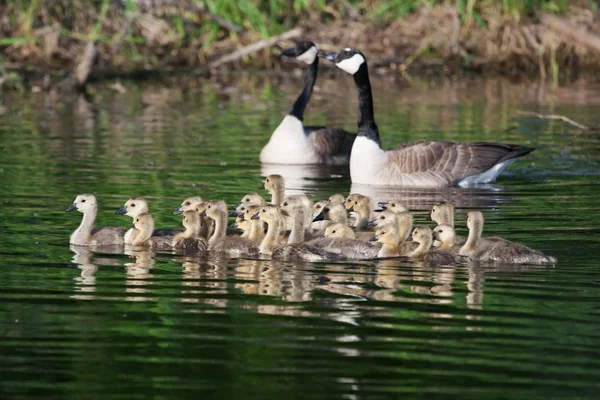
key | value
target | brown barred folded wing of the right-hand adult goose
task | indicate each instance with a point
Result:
(459, 160)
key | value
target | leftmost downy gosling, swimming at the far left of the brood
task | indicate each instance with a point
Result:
(86, 234)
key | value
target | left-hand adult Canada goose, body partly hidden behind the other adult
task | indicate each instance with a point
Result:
(294, 143)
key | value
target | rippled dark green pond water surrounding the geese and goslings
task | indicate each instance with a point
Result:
(78, 324)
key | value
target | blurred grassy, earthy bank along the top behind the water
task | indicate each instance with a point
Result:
(508, 36)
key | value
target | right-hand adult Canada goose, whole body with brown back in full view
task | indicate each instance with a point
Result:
(421, 164)
